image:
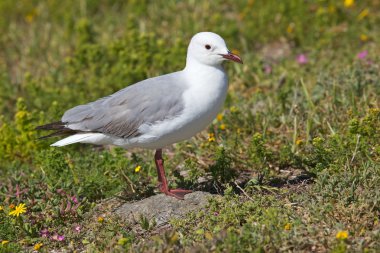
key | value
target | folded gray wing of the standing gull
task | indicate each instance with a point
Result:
(122, 113)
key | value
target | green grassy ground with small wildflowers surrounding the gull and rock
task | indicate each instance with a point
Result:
(294, 153)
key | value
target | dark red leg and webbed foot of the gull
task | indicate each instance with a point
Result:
(177, 193)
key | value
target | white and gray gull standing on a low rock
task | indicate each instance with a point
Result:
(158, 111)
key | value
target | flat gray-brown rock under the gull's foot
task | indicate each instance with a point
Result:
(162, 208)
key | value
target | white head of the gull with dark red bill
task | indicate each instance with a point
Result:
(210, 49)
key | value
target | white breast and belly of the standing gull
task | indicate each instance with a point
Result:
(203, 100)
